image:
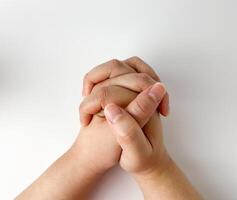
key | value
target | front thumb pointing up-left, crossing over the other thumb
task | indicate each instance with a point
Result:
(127, 132)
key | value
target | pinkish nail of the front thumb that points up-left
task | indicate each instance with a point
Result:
(112, 112)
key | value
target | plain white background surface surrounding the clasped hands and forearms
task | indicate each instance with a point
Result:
(46, 46)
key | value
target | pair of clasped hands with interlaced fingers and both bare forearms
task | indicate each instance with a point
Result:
(132, 138)
